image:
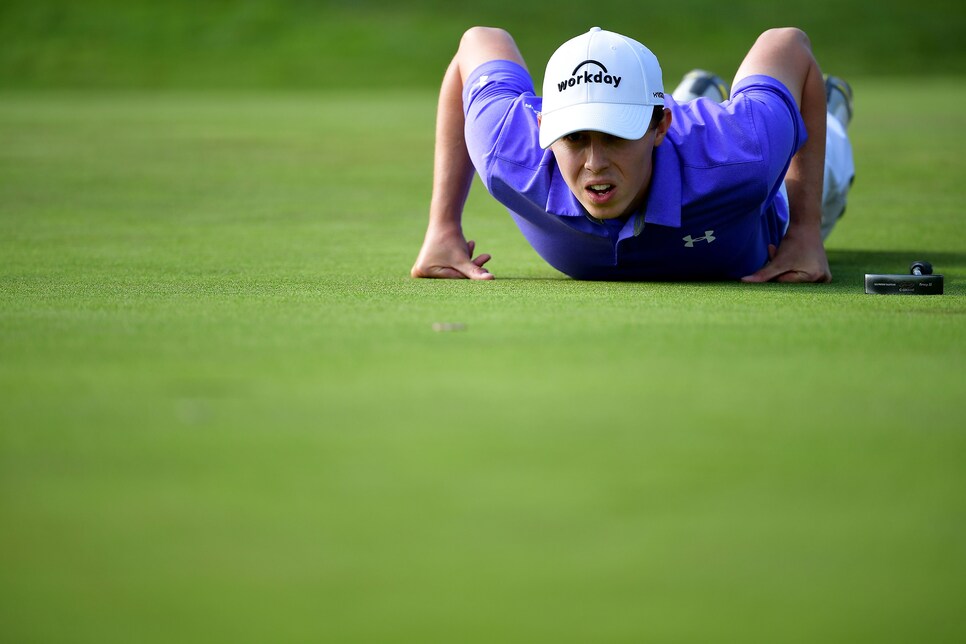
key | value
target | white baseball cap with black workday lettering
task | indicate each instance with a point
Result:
(600, 81)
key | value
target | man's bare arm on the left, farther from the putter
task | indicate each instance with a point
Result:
(445, 251)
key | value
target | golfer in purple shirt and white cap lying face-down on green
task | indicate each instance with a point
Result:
(610, 179)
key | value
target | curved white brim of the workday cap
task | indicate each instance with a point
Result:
(617, 119)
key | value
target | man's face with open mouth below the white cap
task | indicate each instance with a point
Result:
(609, 175)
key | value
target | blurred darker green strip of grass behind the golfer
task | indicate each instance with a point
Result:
(386, 44)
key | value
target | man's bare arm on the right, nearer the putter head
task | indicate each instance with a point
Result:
(786, 55)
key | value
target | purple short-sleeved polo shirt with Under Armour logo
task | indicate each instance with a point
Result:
(713, 204)
